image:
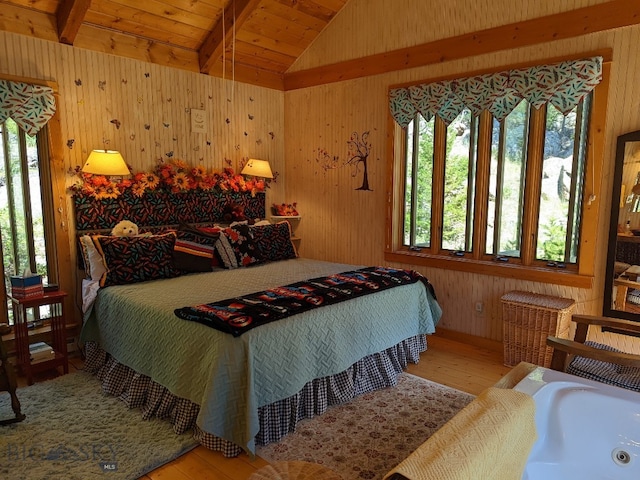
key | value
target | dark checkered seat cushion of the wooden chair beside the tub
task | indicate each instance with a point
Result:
(605, 372)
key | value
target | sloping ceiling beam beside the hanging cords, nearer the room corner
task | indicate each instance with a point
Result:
(237, 11)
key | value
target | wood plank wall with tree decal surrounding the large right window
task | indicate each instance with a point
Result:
(341, 223)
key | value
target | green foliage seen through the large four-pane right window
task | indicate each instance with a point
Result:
(458, 194)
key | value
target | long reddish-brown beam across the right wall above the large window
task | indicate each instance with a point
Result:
(573, 23)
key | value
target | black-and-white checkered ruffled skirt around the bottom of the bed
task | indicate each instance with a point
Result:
(373, 372)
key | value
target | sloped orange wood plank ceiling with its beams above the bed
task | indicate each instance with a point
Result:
(252, 41)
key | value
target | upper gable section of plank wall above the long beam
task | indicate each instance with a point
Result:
(367, 27)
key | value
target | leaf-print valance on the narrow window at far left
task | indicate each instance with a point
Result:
(30, 106)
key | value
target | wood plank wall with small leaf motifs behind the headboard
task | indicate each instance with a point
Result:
(152, 106)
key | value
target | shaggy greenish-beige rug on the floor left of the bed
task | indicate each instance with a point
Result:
(73, 431)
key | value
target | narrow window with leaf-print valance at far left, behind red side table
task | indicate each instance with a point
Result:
(27, 230)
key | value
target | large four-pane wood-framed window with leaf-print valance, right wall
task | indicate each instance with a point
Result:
(492, 189)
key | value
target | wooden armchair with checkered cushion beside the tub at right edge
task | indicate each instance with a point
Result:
(596, 361)
